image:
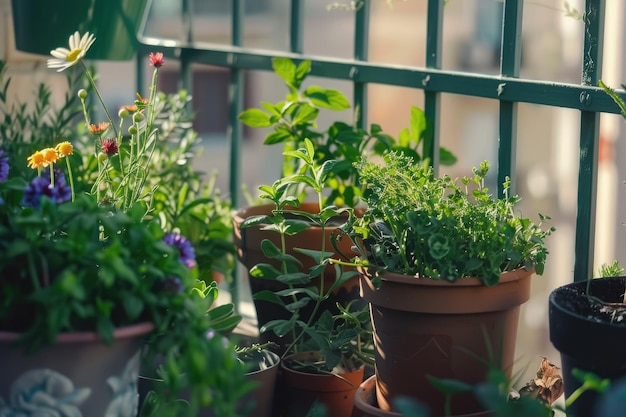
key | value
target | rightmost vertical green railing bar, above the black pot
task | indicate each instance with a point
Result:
(589, 139)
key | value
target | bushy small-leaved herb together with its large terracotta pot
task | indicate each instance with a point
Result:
(445, 269)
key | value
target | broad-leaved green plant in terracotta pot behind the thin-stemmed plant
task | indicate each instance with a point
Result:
(293, 121)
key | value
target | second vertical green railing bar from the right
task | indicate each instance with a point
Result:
(511, 52)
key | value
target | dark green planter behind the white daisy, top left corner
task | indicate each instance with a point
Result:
(43, 25)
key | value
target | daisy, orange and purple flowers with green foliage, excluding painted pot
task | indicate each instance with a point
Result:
(71, 262)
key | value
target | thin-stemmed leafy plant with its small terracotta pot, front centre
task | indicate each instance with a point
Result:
(326, 349)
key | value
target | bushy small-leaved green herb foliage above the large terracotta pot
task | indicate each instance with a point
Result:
(419, 224)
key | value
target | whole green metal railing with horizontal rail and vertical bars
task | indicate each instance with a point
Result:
(506, 87)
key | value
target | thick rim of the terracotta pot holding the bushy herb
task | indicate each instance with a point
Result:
(467, 295)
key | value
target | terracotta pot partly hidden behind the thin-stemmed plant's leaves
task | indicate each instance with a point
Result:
(249, 253)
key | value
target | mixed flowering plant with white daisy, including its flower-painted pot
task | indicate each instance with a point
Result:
(84, 265)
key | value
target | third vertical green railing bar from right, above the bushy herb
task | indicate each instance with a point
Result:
(432, 98)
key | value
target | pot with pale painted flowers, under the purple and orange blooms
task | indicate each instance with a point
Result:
(80, 375)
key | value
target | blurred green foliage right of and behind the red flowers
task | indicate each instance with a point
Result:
(184, 198)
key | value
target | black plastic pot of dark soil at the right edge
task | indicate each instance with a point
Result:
(588, 336)
